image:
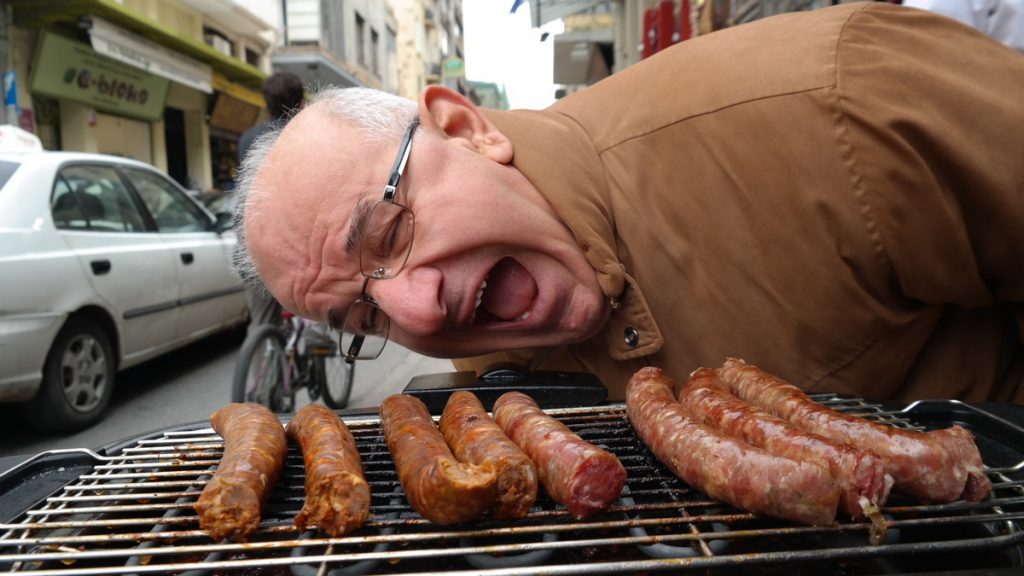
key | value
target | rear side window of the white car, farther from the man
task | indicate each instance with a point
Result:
(93, 197)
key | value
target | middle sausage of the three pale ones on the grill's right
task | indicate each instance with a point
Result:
(861, 475)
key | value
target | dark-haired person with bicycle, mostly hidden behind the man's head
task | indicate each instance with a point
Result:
(285, 96)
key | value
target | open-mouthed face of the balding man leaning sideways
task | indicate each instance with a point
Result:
(492, 267)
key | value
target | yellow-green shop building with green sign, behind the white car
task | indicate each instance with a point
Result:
(168, 83)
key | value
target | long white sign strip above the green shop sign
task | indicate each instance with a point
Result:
(134, 50)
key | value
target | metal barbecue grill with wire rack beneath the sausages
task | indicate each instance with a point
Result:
(130, 511)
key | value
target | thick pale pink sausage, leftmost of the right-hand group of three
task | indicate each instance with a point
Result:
(722, 467)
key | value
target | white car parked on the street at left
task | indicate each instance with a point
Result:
(105, 263)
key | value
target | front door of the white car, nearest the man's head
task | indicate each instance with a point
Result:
(209, 295)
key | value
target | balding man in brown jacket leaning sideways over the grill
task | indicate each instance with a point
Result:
(835, 196)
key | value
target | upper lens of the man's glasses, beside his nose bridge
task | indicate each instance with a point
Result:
(388, 240)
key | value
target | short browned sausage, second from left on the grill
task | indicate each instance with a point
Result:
(337, 493)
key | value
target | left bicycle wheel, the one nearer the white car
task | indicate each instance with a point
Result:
(262, 375)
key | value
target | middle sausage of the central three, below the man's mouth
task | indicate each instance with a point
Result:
(476, 438)
